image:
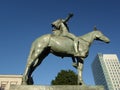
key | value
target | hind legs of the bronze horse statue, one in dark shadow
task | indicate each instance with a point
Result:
(35, 58)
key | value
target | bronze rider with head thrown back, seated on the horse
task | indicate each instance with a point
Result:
(61, 29)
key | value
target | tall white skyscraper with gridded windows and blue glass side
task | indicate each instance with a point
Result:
(106, 71)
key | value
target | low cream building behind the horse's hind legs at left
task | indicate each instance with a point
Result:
(7, 80)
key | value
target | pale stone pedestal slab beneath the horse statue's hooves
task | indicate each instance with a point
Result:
(55, 87)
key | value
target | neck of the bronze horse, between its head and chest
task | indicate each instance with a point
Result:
(90, 37)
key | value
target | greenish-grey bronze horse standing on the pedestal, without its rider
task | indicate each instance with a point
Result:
(61, 46)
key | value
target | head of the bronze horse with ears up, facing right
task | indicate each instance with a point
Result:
(100, 36)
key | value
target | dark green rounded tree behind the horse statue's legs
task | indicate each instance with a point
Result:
(65, 77)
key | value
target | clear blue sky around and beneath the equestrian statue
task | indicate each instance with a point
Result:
(22, 21)
